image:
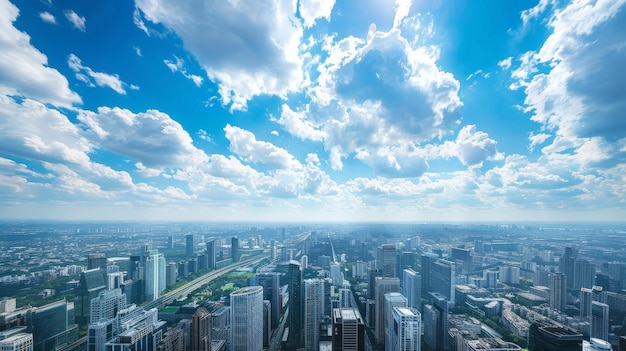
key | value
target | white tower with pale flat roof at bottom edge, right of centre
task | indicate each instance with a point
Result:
(405, 329)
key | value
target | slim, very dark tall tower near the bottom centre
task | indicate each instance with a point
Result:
(294, 279)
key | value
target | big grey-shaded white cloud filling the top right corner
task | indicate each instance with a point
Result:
(575, 83)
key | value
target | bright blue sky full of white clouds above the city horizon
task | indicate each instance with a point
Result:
(313, 110)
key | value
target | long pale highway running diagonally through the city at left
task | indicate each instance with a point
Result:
(197, 283)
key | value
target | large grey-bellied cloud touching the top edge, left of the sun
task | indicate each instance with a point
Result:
(249, 49)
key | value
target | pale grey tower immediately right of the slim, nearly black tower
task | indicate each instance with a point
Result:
(313, 312)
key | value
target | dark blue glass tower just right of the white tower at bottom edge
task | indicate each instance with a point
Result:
(436, 322)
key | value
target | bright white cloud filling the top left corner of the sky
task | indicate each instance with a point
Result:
(23, 68)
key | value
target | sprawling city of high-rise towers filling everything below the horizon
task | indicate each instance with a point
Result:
(242, 286)
